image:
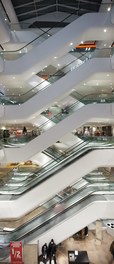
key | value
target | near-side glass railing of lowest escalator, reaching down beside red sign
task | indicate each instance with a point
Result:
(46, 221)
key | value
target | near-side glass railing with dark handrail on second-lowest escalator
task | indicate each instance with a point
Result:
(49, 169)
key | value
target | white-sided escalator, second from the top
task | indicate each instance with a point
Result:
(46, 93)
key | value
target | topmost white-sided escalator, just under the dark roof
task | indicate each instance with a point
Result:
(87, 27)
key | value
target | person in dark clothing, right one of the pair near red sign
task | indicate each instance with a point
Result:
(52, 251)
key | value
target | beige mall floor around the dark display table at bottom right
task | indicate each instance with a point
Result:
(98, 253)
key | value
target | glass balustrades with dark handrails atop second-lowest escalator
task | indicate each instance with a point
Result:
(19, 181)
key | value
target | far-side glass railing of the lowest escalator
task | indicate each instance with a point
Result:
(51, 212)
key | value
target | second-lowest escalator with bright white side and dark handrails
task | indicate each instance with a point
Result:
(59, 173)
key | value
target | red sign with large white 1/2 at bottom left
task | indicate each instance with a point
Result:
(16, 252)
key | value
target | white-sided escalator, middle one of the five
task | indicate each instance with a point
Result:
(56, 129)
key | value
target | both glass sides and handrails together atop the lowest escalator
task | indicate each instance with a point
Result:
(57, 212)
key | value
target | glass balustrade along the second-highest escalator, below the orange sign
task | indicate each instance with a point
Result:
(47, 79)
